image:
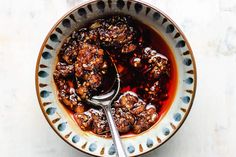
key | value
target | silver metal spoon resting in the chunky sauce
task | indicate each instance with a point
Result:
(105, 101)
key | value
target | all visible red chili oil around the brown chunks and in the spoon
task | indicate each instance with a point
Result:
(132, 79)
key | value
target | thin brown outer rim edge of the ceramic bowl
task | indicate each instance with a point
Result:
(82, 4)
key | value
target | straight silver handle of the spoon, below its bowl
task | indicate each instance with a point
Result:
(115, 134)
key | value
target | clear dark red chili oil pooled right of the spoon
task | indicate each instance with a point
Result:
(131, 80)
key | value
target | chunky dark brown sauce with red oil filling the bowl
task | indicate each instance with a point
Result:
(144, 62)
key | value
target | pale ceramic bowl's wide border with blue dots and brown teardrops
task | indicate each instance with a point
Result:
(61, 121)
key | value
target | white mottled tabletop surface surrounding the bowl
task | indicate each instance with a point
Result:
(210, 27)
